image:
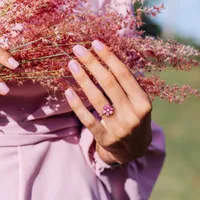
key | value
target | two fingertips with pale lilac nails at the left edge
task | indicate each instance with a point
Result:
(8, 61)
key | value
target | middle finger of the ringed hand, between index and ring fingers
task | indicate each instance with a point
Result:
(105, 78)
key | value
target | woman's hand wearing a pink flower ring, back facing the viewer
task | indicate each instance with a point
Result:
(126, 134)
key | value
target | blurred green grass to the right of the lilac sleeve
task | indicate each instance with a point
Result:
(180, 177)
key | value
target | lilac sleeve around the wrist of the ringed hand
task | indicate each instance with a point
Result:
(134, 180)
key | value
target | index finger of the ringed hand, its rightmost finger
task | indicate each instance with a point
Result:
(121, 72)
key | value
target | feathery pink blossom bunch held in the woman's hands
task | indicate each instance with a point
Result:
(41, 34)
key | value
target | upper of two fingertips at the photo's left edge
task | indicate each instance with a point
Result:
(7, 60)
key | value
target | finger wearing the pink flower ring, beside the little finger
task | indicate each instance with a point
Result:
(95, 96)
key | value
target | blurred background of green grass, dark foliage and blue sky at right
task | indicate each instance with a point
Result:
(180, 176)
